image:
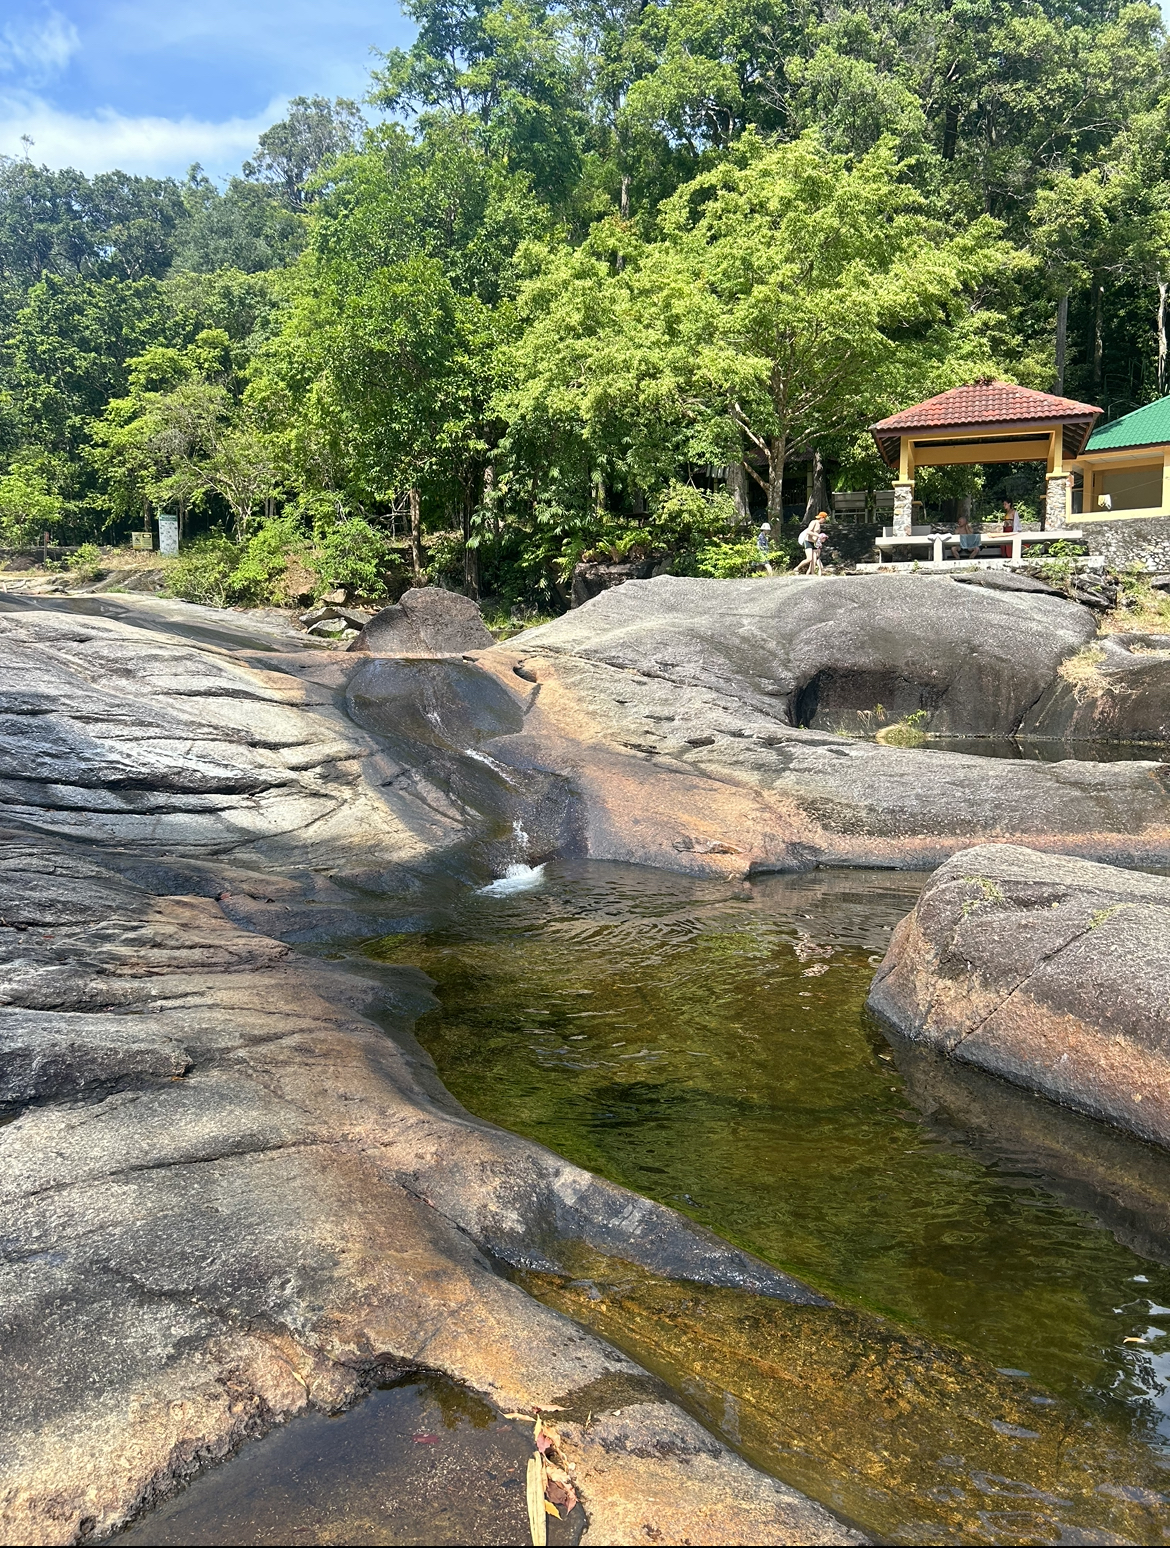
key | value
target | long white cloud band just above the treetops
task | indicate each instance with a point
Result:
(106, 140)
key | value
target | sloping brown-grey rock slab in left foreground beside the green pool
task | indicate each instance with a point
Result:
(239, 1197)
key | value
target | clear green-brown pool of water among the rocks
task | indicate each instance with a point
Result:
(706, 1044)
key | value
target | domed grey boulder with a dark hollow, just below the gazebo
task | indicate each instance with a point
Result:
(836, 654)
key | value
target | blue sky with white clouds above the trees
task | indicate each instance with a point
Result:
(152, 87)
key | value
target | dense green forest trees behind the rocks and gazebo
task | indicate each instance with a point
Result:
(587, 279)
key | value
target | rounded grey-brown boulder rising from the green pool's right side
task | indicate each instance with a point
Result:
(1052, 973)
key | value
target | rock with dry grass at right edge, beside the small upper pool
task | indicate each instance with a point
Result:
(1121, 693)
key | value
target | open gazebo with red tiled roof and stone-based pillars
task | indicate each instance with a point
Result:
(987, 423)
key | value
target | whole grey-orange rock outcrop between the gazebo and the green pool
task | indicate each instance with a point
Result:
(668, 708)
